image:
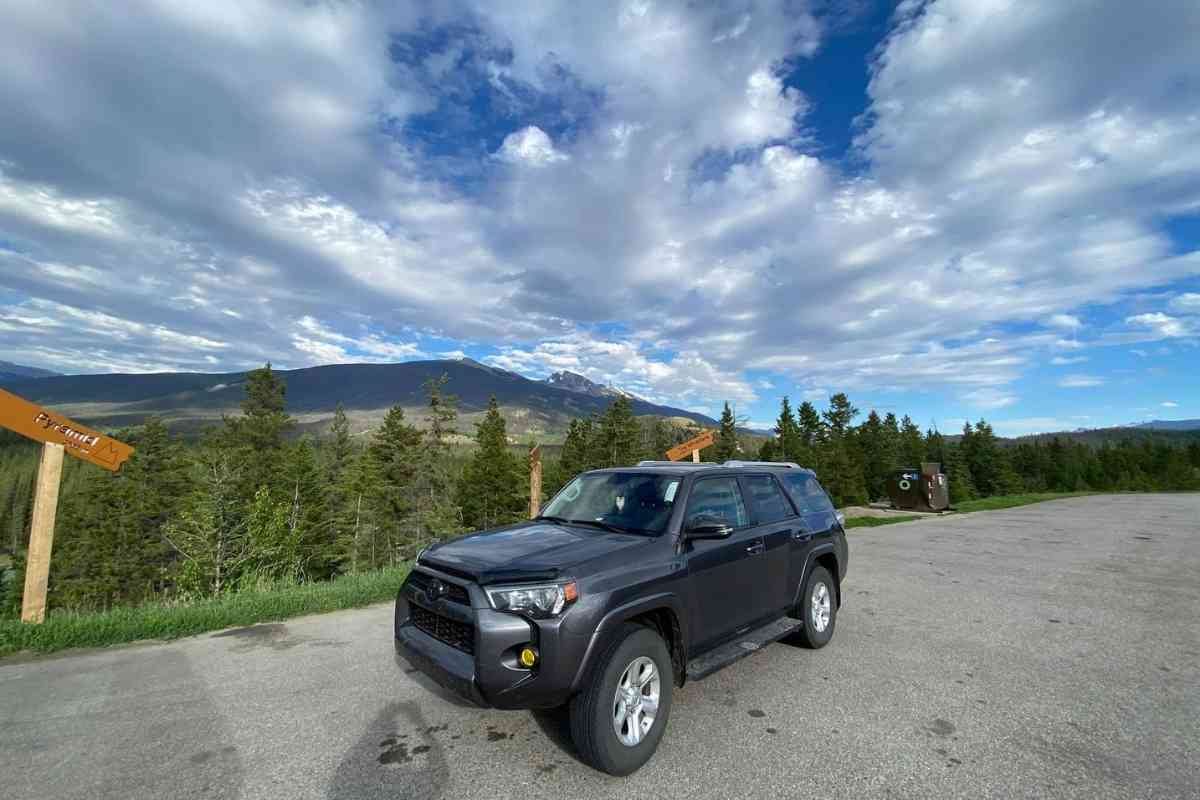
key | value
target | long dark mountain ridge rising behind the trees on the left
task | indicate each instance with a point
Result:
(368, 390)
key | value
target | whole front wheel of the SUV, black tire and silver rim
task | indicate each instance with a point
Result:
(619, 720)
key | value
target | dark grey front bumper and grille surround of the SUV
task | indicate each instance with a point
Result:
(483, 670)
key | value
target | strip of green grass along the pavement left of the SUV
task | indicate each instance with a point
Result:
(63, 630)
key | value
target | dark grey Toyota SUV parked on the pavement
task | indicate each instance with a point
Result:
(632, 582)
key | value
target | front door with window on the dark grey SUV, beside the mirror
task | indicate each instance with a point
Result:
(724, 574)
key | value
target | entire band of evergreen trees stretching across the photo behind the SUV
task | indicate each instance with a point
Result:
(251, 502)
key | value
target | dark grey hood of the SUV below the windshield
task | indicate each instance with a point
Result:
(532, 551)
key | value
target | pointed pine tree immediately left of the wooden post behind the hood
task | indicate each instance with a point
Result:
(494, 489)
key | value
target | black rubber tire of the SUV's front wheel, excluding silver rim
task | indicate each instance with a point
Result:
(592, 711)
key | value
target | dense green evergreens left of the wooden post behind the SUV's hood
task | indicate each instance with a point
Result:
(251, 503)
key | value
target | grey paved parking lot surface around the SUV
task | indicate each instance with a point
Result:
(1041, 652)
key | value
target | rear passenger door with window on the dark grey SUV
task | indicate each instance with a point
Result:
(776, 521)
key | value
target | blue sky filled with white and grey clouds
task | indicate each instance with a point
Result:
(952, 210)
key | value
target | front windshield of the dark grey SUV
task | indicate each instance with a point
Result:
(632, 502)
